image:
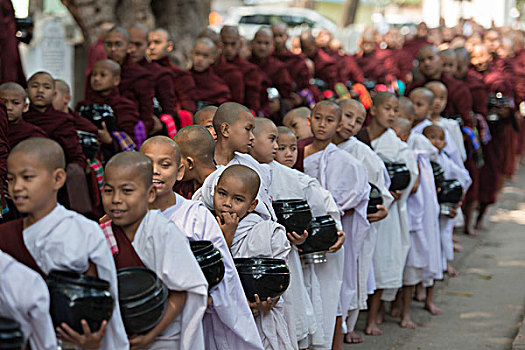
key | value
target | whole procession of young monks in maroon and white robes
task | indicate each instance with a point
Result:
(465, 107)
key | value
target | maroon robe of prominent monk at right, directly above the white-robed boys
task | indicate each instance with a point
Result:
(459, 99)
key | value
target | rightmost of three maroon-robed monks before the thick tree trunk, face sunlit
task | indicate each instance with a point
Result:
(159, 47)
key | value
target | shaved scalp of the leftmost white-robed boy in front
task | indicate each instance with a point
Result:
(47, 152)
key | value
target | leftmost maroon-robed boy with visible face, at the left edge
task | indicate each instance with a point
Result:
(14, 97)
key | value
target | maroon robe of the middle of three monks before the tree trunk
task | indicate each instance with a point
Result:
(163, 85)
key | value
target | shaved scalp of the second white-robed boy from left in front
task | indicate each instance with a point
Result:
(136, 162)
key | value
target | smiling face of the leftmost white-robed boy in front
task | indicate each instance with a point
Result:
(31, 185)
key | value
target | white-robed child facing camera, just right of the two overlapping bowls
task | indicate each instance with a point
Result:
(325, 162)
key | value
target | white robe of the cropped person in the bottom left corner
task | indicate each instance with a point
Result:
(24, 297)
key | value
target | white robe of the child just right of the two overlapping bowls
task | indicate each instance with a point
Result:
(347, 180)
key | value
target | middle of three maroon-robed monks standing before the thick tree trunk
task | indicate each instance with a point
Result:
(162, 76)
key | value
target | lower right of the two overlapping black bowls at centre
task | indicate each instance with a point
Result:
(322, 234)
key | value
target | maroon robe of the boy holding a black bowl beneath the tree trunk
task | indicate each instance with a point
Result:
(126, 113)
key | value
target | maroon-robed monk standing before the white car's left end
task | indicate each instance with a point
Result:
(251, 74)
